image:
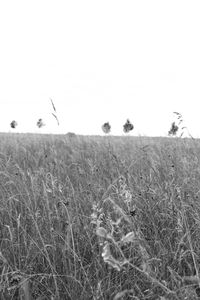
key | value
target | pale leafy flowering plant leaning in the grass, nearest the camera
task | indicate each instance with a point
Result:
(123, 246)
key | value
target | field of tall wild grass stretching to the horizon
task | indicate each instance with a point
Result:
(95, 218)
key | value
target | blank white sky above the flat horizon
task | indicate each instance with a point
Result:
(99, 61)
